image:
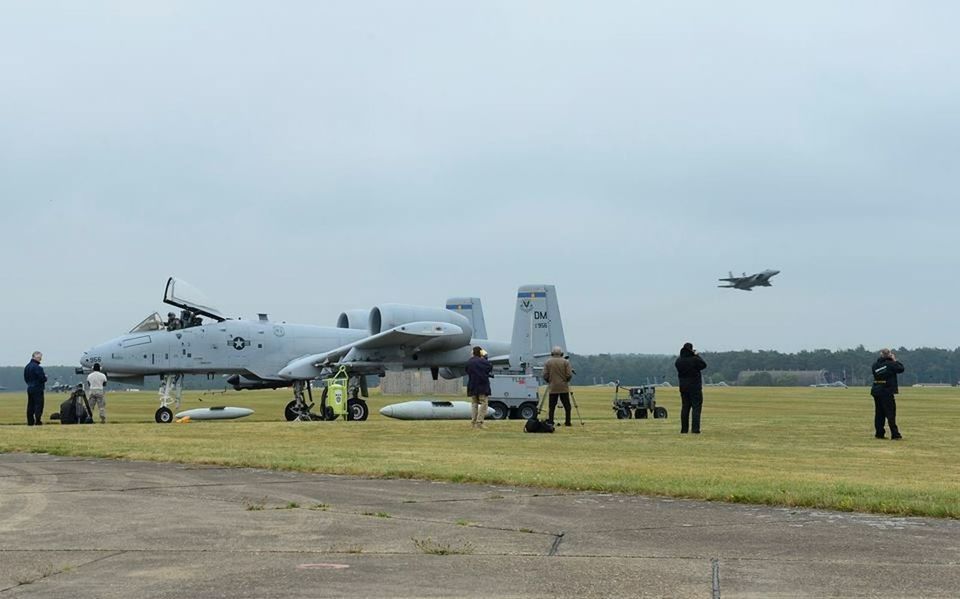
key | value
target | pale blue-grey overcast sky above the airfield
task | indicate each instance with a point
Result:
(301, 158)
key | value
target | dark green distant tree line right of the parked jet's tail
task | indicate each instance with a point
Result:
(851, 366)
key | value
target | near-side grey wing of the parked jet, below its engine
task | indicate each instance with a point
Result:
(411, 335)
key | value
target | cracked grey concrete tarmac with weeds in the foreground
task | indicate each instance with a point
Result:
(74, 527)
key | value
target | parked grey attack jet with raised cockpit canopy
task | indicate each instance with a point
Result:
(260, 354)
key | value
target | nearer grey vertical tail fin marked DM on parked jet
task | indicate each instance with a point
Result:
(537, 327)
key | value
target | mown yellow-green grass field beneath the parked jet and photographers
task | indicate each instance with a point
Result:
(784, 446)
